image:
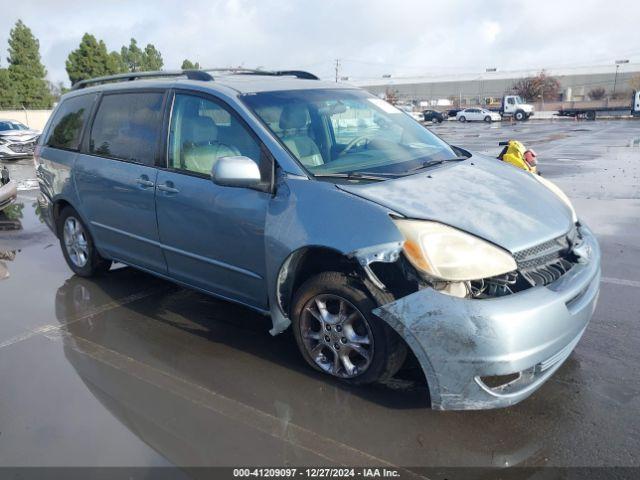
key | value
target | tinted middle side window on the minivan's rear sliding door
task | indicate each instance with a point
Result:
(127, 126)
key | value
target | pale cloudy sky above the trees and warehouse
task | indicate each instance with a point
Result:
(371, 38)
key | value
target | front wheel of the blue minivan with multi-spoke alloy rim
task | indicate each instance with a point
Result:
(338, 335)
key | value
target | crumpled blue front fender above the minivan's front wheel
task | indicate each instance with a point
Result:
(306, 213)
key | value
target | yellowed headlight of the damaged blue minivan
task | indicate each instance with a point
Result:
(445, 253)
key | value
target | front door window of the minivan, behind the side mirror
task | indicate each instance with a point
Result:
(203, 131)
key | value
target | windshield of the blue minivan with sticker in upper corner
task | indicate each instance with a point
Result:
(347, 132)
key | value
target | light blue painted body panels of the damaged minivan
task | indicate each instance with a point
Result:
(480, 195)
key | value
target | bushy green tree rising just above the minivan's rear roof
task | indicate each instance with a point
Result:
(91, 60)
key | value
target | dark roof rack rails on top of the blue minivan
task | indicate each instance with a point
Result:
(201, 75)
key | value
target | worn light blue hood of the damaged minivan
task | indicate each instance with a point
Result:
(482, 196)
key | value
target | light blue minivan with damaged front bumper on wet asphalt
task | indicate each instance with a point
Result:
(334, 213)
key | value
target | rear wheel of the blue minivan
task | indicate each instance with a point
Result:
(78, 247)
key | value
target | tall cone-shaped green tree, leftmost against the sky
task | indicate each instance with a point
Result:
(26, 72)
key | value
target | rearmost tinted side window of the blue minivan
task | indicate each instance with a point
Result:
(68, 122)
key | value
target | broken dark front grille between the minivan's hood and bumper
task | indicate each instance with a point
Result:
(547, 262)
